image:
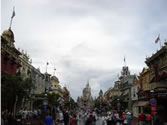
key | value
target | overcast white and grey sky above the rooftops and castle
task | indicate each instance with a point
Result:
(87, 39)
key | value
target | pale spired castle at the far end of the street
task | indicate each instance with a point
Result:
(86, 99)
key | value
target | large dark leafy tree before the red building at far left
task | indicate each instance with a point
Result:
(14, 88)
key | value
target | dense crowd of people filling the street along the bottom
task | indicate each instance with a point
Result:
(81, 116)
